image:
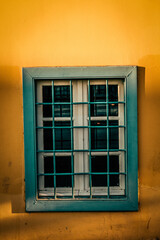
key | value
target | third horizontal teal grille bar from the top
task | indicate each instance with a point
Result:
(82, 150)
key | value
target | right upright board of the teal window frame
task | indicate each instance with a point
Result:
(132, 138)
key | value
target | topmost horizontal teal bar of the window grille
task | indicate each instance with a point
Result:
(76, 103)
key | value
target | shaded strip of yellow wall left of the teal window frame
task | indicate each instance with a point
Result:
(11, 147)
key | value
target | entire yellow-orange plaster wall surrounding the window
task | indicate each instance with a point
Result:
(78, 33)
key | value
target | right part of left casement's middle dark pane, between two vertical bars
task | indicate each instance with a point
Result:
(62, 136)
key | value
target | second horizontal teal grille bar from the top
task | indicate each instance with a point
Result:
(114, 126)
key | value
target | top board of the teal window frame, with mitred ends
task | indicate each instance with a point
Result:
(80, 72)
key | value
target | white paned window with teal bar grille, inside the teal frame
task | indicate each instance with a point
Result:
(105, 152)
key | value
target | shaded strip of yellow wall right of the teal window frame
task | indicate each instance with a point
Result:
(149, 127)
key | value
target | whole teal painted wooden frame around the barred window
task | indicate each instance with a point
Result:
(30, 76)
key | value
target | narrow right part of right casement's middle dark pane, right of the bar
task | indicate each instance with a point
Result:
(113, 135)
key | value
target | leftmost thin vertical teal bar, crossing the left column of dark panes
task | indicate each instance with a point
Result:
(54, 157)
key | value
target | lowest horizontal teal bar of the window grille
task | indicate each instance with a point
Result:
(82, 173)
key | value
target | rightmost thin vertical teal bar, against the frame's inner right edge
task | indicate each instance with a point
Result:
(125, 135)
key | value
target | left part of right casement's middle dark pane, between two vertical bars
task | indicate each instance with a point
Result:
(98, 135)
